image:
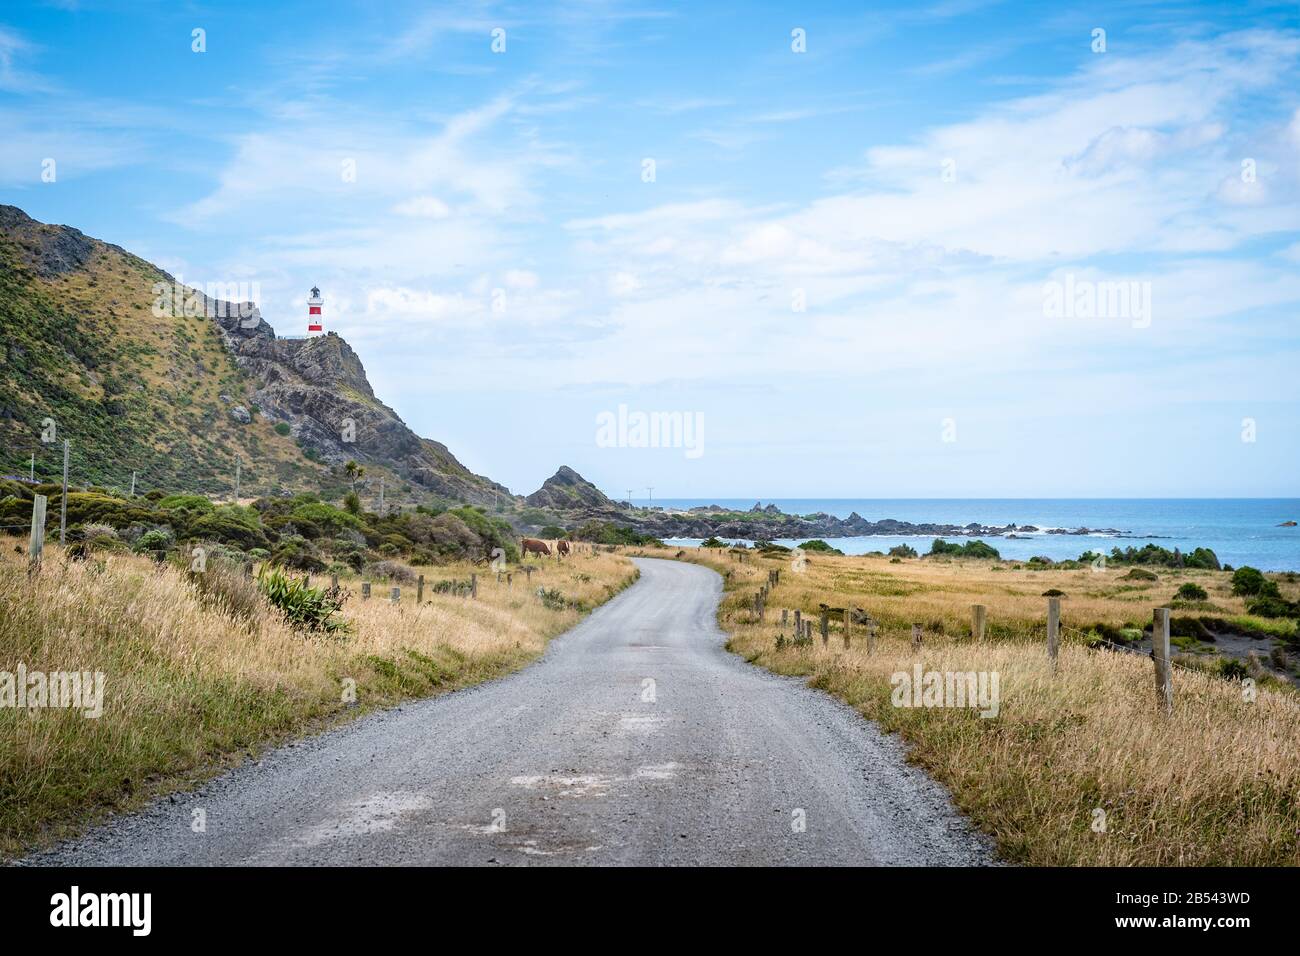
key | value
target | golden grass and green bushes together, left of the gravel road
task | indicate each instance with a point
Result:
(206, 665)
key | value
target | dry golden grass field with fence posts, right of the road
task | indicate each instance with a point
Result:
(1217, 784)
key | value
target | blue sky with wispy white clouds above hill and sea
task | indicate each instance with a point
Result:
(918, 180)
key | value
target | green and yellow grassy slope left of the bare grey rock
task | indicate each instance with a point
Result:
(133, 391)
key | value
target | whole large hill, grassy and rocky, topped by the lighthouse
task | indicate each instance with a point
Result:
(180, 388)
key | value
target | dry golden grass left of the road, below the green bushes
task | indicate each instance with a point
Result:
(190, 689)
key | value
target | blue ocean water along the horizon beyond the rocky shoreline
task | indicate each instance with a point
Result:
(1241, 531)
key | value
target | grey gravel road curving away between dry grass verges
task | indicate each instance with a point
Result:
(636, 739)
